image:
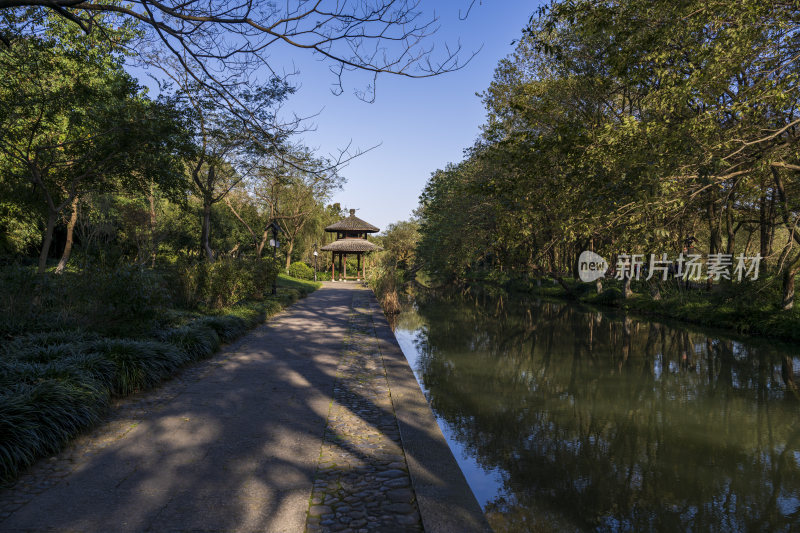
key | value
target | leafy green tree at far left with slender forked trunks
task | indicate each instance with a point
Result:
(73, 121)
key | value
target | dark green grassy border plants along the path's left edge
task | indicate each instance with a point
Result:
(55, 385)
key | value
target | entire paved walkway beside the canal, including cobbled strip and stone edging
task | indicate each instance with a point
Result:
(294, 427)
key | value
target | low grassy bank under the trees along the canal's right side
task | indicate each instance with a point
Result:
(737, 309)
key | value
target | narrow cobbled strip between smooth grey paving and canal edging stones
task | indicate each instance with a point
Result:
(362, 482)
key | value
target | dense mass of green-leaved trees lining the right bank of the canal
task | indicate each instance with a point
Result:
(634, 127)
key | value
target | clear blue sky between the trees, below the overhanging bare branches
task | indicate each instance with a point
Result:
(420, 124)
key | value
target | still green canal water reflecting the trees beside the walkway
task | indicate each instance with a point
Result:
(610, 423)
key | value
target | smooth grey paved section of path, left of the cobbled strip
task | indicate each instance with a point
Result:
(229, 445)
